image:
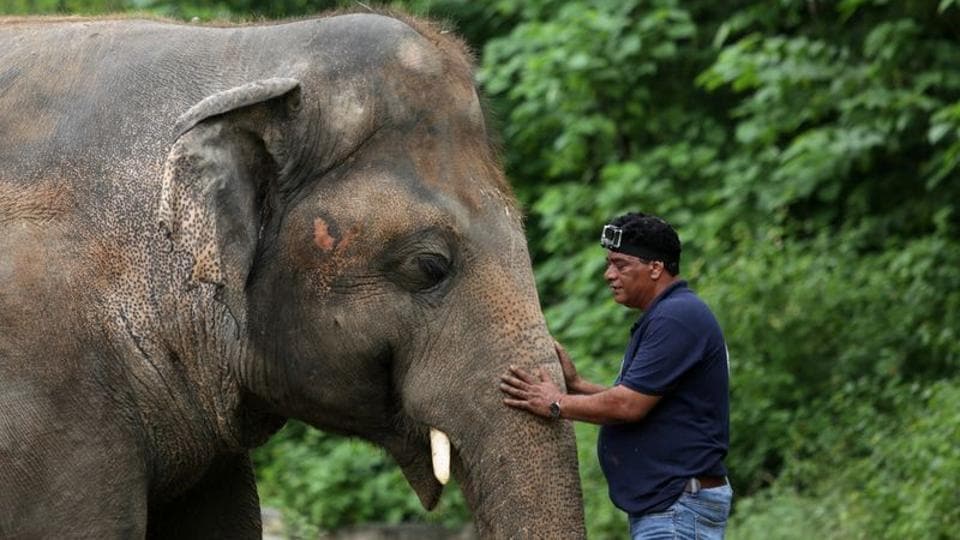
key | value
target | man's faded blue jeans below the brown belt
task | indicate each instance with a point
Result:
(695, 516)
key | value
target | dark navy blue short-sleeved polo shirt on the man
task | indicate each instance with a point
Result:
(676, 351)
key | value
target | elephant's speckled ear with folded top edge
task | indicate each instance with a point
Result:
(229, 152)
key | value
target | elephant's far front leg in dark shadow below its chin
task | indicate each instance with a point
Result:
(223, 504)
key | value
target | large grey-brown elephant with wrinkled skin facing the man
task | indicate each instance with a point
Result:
(206, 231)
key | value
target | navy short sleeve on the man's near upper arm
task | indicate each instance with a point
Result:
(667, 350)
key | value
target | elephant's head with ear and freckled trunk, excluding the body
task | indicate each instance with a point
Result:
(352, 216)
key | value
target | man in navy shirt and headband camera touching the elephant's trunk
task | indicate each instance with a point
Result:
(665, 422)
